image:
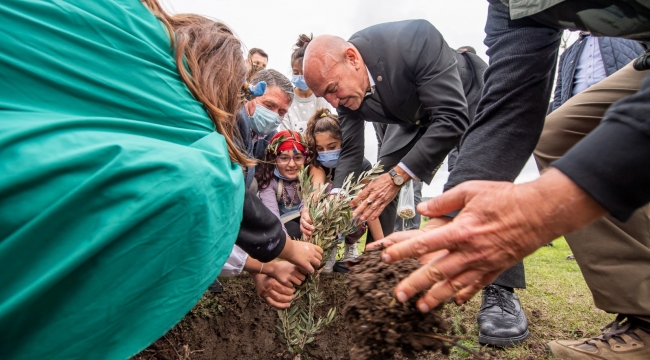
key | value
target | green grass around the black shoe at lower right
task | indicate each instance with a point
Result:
(556, 301)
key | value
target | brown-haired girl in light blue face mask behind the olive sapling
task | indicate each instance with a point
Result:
(323, 137)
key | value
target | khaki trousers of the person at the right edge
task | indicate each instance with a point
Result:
(614, 257)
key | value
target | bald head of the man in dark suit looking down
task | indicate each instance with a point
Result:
(334, 69)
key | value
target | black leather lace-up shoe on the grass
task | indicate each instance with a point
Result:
(501, 322)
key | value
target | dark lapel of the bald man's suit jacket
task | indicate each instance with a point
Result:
(377, 71)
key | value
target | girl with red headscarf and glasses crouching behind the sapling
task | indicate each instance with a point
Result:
(277, 178)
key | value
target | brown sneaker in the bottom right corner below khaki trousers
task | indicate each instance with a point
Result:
(625, 340)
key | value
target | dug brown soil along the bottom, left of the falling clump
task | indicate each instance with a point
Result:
(238, 324)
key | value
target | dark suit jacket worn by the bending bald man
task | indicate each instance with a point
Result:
(420, 87)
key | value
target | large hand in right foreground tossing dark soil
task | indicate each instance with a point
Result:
(500, 223)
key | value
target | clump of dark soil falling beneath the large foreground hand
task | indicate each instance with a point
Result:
(379, 324)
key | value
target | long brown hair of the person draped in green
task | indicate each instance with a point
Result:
(213, 55)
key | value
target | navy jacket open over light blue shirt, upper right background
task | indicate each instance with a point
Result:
(615, 52)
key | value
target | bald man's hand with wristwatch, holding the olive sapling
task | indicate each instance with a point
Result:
(372, 200)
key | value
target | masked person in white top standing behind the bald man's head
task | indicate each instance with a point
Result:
(304, 102)
